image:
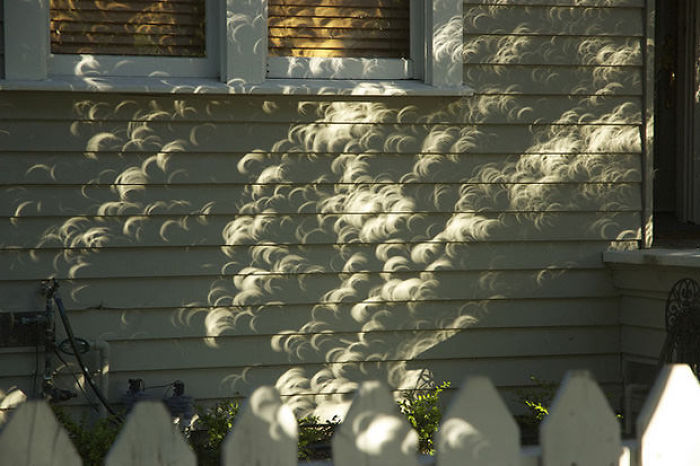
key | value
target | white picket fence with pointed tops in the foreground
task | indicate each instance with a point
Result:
(477, 429)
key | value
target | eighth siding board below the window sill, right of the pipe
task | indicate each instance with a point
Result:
(176, 322)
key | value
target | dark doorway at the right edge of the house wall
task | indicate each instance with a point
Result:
(677, 124)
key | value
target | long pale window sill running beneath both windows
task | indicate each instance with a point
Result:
(164, 85)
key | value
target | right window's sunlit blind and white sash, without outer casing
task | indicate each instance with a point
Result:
(341, 39)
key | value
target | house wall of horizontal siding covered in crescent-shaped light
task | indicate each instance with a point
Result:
(311, 242)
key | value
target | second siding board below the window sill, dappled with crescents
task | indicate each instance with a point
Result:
(227, 137)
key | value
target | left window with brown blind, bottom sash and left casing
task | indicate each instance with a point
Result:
(111, 38)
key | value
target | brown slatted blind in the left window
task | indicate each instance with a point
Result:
(128, 27)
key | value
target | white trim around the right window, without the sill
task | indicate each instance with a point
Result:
(245, 60)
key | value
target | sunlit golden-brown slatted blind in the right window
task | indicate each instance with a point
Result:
(339, 28)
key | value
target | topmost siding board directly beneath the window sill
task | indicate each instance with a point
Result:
(517, 108)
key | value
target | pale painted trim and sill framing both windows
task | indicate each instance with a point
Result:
(239, 29)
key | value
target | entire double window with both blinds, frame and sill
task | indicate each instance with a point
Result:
(263, 46)
